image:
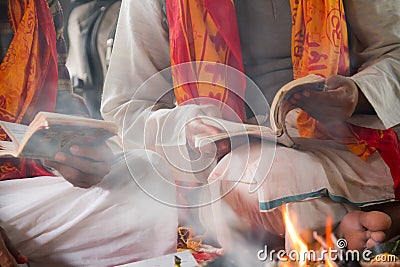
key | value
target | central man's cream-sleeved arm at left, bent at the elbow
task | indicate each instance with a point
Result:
(141, 50)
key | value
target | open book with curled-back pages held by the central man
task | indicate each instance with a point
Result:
(279, 109)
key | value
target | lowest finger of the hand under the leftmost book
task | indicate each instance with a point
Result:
(74, 176)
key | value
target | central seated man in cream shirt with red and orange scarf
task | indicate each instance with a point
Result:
(324, 177)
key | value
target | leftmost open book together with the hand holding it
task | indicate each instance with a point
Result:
(73, 146)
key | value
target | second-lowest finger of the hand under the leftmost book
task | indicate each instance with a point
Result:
(82, 164)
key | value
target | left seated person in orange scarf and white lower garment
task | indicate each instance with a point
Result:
(92, 213)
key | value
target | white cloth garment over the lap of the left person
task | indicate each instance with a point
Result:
(114, 222)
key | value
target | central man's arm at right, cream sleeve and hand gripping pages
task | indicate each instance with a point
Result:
(371, 97)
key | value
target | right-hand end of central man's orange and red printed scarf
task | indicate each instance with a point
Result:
(320, 46)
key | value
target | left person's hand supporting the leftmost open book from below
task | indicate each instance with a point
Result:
(85, 165)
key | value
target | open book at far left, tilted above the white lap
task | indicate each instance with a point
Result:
(50, 133)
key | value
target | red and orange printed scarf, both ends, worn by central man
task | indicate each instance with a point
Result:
(206, 30)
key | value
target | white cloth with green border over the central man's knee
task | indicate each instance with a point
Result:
(322, 179)
